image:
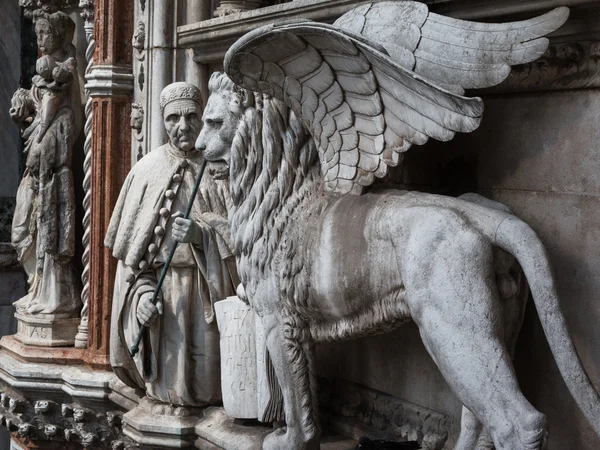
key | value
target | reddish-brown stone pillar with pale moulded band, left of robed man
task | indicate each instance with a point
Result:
(110, 84)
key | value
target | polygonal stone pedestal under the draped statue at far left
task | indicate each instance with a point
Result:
(46, 331)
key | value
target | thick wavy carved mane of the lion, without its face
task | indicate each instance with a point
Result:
(274, 171)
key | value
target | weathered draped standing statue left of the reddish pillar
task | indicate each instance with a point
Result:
(43, 229)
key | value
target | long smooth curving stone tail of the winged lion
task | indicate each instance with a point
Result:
(517, 238)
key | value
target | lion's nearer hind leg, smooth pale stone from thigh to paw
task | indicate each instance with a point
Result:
(454, 301)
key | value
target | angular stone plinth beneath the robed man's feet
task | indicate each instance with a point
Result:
(157, 431)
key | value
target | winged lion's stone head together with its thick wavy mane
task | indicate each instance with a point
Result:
(274, 168)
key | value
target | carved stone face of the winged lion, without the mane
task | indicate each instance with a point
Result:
(226, 105)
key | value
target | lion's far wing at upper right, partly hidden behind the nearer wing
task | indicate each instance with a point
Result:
(455, 54)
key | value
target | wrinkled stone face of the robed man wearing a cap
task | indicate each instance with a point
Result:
(182, 122)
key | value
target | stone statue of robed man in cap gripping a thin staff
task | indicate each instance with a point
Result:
(178, 361)
